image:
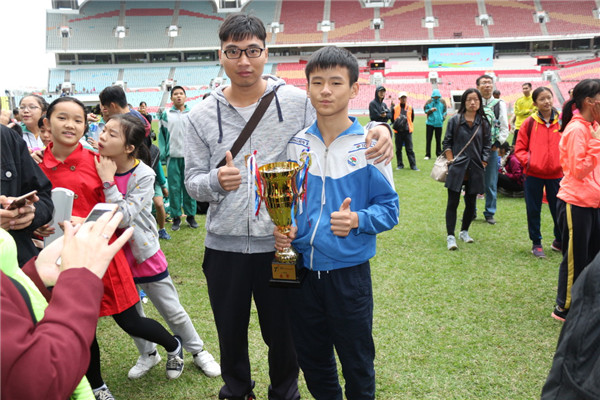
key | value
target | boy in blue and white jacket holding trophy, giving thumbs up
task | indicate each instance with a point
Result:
(349, 201)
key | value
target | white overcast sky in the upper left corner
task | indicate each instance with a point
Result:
(24, 63)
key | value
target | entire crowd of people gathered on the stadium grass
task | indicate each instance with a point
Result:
(108, 157)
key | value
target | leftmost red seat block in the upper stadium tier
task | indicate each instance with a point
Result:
(300, 22)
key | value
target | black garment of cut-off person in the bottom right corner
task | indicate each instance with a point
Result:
(575, 372)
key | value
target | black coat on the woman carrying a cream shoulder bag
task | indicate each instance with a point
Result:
(470, 162)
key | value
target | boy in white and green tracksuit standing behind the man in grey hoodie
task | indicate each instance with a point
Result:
(171, 142)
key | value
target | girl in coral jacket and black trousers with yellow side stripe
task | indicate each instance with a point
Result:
(578, 204)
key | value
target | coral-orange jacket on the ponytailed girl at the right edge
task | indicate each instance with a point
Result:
(580, 160)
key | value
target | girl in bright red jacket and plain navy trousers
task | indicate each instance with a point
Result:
(537, 150)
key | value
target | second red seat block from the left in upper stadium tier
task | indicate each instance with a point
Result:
(351, 22)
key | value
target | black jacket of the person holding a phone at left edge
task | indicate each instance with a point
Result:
(20, 175)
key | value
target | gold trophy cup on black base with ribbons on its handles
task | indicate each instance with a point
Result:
(280, 195)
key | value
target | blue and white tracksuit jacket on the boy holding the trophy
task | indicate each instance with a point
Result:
(337, 172)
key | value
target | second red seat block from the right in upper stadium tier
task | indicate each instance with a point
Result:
(512, 18)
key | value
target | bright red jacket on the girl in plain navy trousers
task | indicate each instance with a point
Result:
(537, 147)
